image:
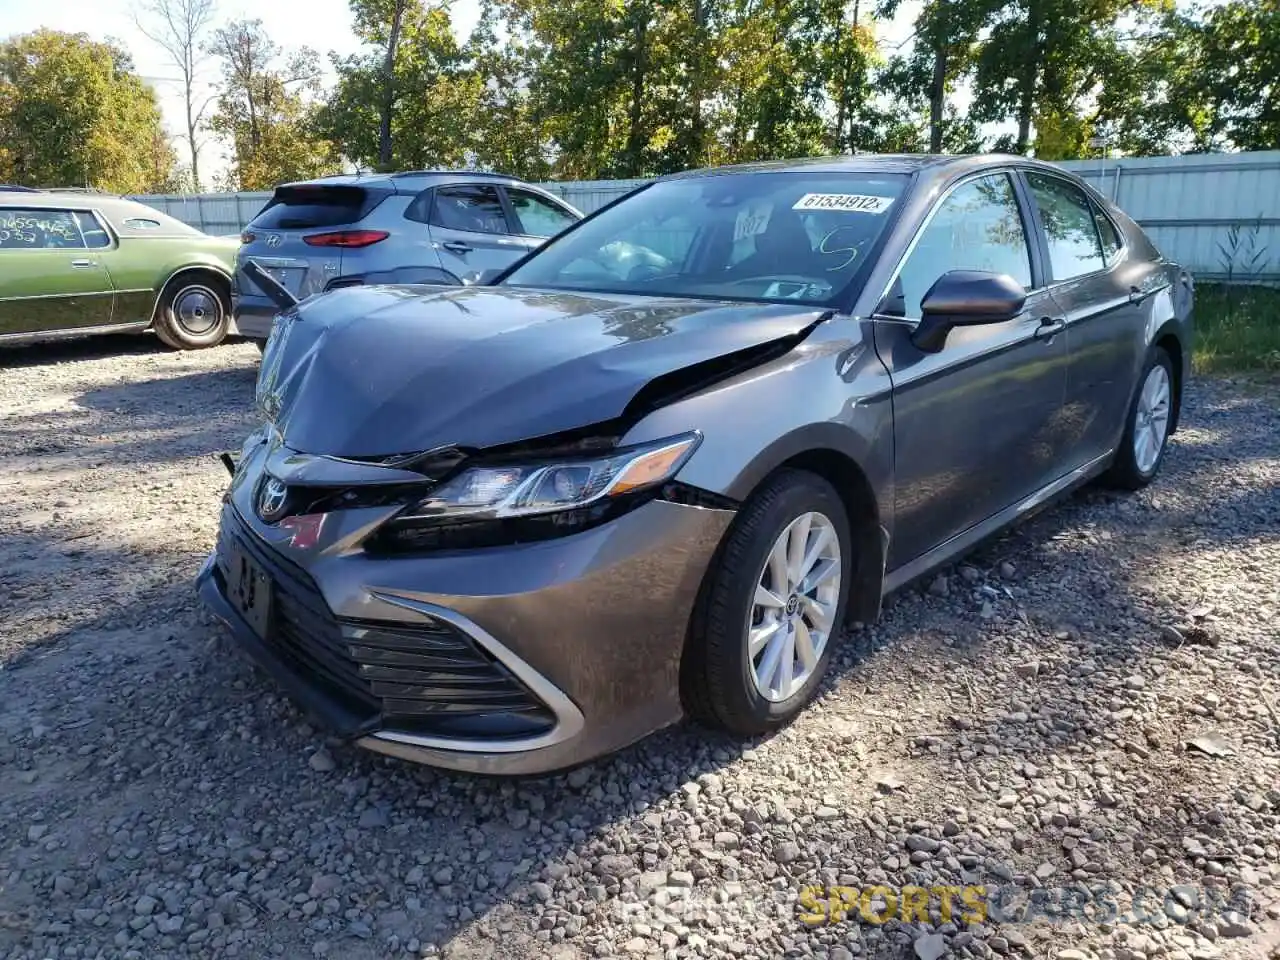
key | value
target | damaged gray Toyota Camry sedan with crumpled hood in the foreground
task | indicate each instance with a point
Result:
(657, 467)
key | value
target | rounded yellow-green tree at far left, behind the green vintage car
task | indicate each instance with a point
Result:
(75, 113)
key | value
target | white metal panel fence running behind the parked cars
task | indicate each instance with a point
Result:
(1194, 207)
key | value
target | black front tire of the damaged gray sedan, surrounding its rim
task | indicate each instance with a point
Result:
(717, 685)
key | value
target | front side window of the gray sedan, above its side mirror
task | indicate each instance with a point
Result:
(977, 227)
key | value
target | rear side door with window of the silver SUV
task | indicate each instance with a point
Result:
(470, 230)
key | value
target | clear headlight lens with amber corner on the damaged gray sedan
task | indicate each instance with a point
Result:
(510, 492)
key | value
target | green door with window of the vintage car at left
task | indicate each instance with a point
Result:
(51, 280)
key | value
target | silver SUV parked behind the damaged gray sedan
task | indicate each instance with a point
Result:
(414, 227)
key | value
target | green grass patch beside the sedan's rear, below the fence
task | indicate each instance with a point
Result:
(1237, 330)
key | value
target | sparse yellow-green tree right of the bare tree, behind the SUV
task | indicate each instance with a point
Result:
(268, 109)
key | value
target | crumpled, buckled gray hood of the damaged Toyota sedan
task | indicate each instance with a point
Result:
(378, 372)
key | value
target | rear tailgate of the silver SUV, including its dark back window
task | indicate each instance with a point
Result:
(303, 235)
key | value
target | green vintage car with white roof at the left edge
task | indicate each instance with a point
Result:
(80, 264)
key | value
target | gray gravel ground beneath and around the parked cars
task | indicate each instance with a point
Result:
(1020, 723)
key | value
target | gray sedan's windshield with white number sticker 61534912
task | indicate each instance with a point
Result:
(794, 237)
